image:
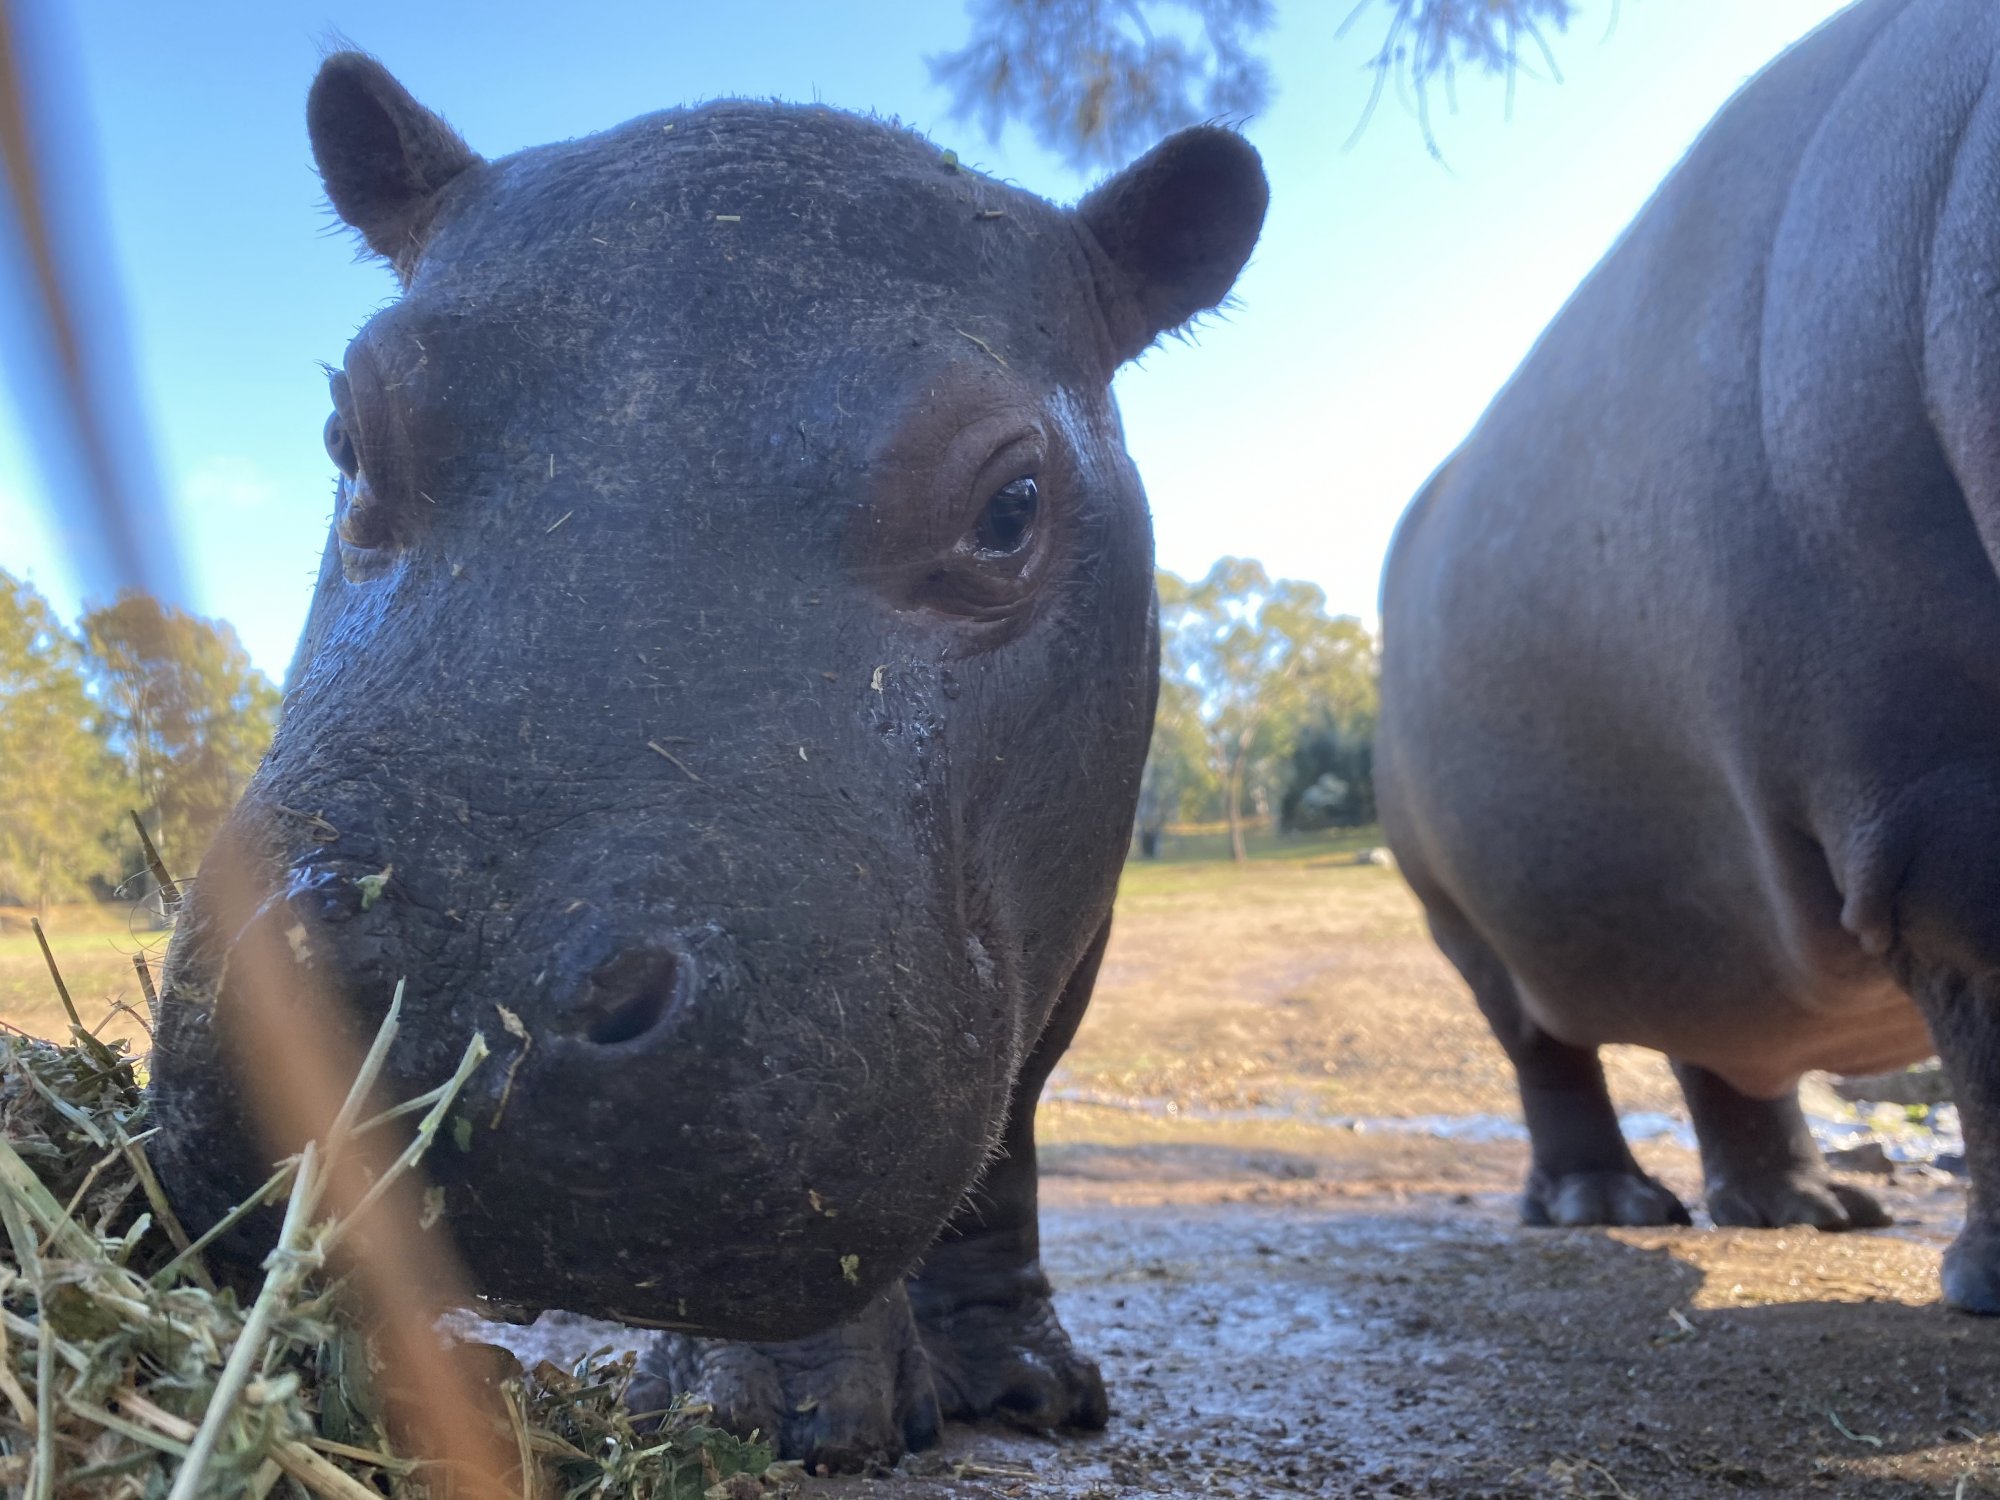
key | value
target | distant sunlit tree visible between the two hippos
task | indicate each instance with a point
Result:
(1261, 663)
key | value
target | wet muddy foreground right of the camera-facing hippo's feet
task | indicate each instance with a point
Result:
(1421, 1345)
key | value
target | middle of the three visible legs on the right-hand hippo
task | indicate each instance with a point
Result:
(1761, 1163)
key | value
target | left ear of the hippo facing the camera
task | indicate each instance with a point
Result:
(383, 157)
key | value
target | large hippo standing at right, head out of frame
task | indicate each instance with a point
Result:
(1693, 653)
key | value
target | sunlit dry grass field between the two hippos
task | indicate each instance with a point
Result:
(1299, 983)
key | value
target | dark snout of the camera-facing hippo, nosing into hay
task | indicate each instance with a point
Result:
(725, 1127)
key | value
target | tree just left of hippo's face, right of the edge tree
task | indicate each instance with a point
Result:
(187, 713)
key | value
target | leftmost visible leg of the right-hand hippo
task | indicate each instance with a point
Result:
(1583, 1171)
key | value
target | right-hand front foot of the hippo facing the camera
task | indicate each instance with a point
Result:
(997, 1349)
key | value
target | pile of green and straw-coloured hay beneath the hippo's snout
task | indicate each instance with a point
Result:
(127, 1371)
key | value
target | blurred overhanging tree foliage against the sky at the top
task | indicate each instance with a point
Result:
(1099, 81)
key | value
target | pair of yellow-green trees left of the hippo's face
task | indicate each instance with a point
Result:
(141, 709)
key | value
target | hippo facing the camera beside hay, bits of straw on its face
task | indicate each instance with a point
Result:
(735, 647)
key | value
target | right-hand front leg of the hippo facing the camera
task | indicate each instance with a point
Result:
(983, 1301)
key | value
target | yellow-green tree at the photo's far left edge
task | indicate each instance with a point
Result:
(61, 787)
